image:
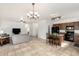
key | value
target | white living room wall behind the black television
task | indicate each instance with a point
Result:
(7, 25)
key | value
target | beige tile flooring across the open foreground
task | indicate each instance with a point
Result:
(38, 47)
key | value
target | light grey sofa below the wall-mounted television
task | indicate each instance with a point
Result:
(16, 39)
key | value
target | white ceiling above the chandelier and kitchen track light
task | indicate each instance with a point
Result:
(17, 10)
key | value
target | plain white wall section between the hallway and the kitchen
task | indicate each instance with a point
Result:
(42, 29)
